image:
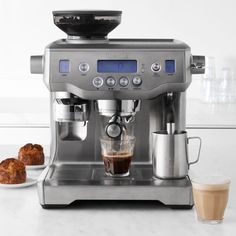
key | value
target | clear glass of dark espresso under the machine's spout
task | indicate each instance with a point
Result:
(117, 155)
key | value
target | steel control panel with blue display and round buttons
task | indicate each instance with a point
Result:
(118, 70)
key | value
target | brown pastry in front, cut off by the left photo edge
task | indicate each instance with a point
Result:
(12, 171)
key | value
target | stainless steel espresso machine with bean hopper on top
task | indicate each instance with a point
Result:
(96, 84)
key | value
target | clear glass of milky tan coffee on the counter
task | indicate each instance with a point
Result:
(210, 195)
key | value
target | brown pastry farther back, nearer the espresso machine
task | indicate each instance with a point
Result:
(31, 154)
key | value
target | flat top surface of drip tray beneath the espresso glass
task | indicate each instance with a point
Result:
(93, 174)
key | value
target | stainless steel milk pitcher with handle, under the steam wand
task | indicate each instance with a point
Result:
(170, 154)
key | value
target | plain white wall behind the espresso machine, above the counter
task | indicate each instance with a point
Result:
(27, 26)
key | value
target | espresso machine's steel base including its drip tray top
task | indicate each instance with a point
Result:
(61, 185)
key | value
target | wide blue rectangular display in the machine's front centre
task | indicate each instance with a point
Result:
(116, 66)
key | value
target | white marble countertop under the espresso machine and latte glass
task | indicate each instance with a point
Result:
(22, 215)
